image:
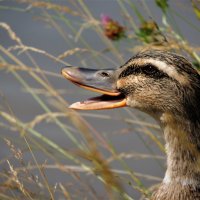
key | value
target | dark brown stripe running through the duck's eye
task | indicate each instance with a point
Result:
(148, 70)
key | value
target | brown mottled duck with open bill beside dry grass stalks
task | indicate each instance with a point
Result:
(164, 85)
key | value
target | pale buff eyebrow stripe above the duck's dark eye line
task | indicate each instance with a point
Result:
(162, 66)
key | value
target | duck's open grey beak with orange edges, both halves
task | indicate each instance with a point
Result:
(101, 81)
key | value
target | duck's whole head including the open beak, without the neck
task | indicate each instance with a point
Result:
(151, 81)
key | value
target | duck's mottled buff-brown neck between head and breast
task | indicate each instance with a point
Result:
(183, 150)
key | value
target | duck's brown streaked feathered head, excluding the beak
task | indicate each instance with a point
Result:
(157, 81)
